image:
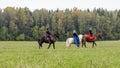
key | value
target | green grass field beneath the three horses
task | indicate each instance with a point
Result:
(25, 54)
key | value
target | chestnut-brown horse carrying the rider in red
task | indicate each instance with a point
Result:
(85, 39)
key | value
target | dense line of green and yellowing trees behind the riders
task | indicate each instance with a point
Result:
(24, 24)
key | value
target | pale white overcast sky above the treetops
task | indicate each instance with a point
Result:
(61, 4)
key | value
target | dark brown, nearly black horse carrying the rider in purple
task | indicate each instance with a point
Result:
(44, 39)
